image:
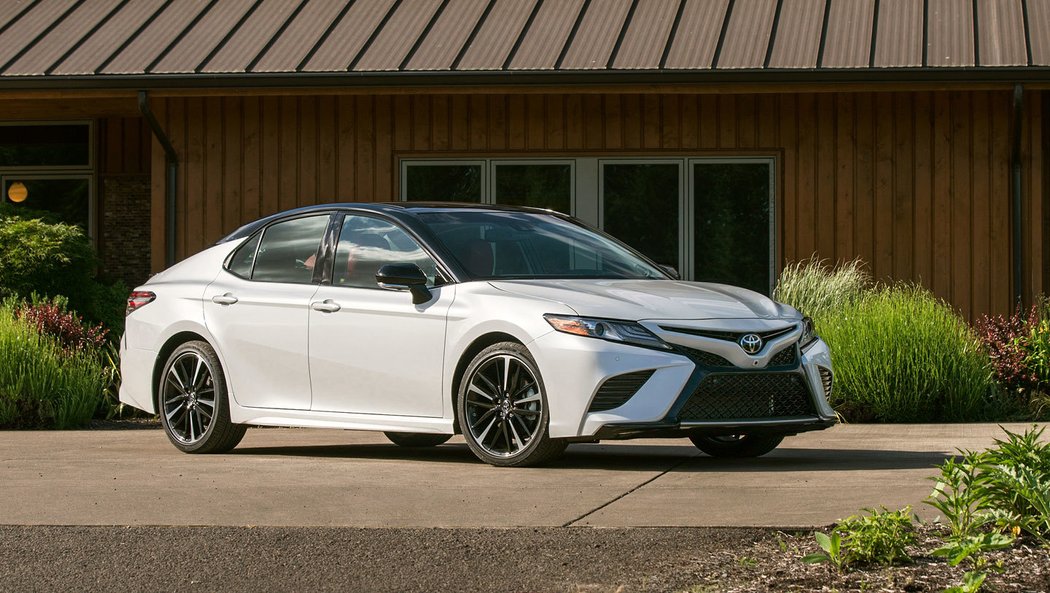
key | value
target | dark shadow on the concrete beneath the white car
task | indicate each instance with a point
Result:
(635, 458)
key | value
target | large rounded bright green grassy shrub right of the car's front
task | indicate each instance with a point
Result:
(901, 355)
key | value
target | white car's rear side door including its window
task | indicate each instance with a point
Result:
(259, 309)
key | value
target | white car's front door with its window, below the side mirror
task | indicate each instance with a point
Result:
(372, 351)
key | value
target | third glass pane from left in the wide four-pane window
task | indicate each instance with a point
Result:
(642, 208)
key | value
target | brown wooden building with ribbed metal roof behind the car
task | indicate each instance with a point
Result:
(728, 138)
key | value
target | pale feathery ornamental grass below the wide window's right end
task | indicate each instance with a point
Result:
(818, 291)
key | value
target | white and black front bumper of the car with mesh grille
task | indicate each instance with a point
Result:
(575, 370)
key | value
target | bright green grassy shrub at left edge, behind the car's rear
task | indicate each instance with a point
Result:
(44, 385)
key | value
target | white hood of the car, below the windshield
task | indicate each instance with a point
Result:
(652, 300)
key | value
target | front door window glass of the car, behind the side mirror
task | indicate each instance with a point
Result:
(367, 245)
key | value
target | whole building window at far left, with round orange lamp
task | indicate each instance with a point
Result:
(49, 168)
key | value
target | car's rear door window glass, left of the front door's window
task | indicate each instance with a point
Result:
(289, 251)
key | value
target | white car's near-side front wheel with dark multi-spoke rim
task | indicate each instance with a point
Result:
(502, 409)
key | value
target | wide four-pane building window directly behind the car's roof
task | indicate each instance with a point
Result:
(712, 219)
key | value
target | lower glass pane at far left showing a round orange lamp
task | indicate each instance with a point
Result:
(66, 201)
